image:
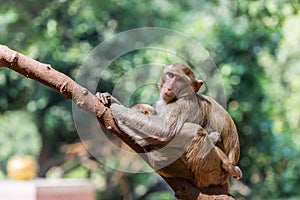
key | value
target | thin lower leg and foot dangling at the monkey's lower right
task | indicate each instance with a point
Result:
(227, 165)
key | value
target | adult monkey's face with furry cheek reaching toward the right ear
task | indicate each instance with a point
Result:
(174, 87)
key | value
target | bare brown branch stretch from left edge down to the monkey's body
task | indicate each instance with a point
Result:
(64, 85)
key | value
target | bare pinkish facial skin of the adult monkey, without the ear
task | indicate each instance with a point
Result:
(173, 84)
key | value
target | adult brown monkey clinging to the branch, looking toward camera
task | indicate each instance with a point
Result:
(201, 161)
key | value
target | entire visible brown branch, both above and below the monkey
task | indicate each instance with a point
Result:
(86, 101)
